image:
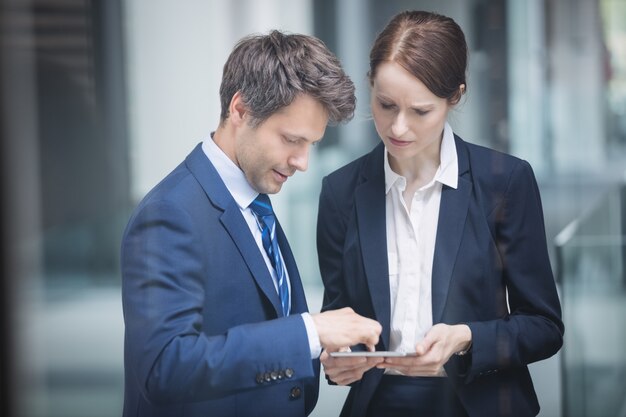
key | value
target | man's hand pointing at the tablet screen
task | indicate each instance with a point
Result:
(340, 328)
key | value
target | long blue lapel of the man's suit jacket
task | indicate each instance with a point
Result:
(234, 223)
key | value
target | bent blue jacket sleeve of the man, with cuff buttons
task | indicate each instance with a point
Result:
(171, 358)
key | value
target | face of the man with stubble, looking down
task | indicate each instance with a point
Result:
(275, 149)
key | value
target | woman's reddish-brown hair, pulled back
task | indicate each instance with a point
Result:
(430, 46)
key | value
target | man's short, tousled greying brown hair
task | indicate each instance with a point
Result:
(271, 70)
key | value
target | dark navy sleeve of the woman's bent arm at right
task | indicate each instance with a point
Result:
(533, 329)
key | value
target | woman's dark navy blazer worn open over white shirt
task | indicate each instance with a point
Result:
(490, 242)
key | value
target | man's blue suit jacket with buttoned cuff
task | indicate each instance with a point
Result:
(204, 334)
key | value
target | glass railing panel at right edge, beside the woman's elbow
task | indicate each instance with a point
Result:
(591, 253)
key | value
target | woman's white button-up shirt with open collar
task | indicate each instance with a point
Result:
(411, 239)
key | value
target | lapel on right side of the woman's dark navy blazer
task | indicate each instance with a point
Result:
(452, 216)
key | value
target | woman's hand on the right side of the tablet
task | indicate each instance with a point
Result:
(433, 352)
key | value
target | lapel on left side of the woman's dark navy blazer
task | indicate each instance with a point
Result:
(370, 209)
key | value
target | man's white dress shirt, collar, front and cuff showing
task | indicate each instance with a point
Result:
(243, 194)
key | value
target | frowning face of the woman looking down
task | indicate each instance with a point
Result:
(409, 118)
